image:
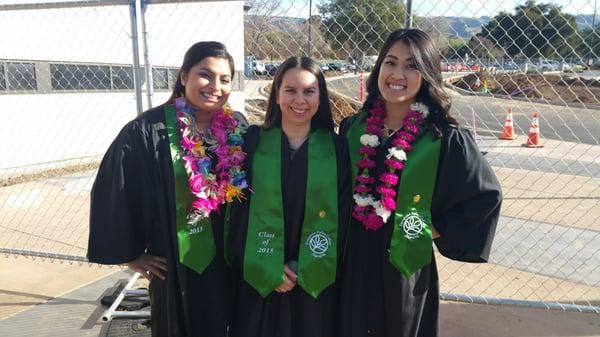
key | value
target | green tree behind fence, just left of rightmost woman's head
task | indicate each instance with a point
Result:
(360, 26)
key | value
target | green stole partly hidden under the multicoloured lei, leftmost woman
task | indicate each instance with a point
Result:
(196, 242)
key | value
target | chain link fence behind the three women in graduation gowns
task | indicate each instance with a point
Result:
(67, 86)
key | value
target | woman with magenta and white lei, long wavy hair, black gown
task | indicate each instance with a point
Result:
(418, 177)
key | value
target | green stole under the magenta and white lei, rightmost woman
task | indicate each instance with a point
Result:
(411, 242)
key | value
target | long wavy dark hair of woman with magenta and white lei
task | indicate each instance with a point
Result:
(427, 61)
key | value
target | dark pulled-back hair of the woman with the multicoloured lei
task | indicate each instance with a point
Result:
(198, 52)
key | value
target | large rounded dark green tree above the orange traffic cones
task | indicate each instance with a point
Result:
(534, 30)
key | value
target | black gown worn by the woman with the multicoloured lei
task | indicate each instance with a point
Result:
(133, 211)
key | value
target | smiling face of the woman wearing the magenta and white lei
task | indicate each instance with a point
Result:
(399, 80)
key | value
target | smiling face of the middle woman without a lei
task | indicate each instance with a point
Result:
(298, 97)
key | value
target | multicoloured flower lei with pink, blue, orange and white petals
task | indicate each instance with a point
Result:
(211, 186)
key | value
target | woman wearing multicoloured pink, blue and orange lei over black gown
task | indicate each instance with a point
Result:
(140, 201)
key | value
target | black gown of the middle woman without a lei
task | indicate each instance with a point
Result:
(295, 313)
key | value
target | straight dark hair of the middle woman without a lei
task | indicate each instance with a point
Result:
(323, 118)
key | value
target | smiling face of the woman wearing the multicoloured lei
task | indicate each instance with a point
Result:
(208, 84)
